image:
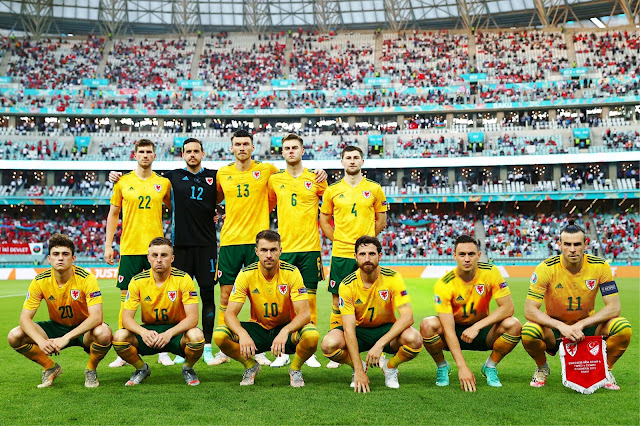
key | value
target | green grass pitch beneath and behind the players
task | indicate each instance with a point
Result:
(326, 398)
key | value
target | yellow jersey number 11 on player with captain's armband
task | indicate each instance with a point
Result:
(567, 297)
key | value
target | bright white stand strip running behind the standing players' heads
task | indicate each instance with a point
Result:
(382, 163)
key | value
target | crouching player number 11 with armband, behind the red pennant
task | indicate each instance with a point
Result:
(568, 285)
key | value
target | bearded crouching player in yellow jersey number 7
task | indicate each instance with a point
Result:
(369, 298)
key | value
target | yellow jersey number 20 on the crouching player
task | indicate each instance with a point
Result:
(67, 304)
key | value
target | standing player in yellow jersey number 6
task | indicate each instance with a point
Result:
(298, 199)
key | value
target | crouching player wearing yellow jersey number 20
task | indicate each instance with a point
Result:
(75, 311)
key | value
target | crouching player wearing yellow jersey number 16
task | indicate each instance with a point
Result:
(169, 305)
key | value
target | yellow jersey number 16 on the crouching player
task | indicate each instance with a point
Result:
(164, 304)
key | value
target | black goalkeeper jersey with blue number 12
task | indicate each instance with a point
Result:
(193, 197)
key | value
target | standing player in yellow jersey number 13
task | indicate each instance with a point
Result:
(243, 186)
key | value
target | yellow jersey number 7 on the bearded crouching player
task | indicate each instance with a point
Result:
(377, 304)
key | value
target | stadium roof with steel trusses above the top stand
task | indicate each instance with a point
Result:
(185, 16)
